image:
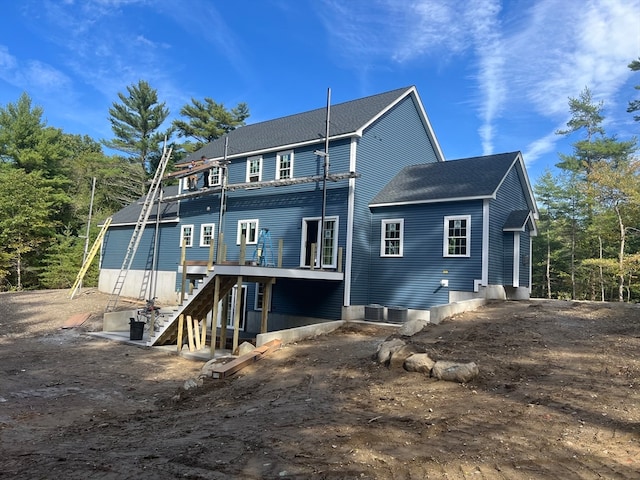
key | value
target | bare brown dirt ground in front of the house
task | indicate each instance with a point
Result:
(557, 397)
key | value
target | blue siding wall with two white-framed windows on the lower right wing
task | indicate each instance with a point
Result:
(413, 281)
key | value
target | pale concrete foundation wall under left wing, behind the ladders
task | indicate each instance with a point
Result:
(165, 288)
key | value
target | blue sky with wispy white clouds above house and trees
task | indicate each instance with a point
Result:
(494, 76)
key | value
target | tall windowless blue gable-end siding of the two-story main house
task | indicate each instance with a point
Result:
(397, 139)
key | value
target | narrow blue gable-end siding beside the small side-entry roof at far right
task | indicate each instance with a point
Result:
(510, 196)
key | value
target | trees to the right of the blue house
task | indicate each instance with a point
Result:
(588, 246)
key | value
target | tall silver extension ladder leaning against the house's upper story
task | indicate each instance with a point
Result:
(136, 236)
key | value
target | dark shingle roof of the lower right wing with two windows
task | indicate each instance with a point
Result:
(476, 177)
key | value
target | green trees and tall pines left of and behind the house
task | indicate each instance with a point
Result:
(47, 177)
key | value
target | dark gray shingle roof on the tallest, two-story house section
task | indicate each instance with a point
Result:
(346, 118)
